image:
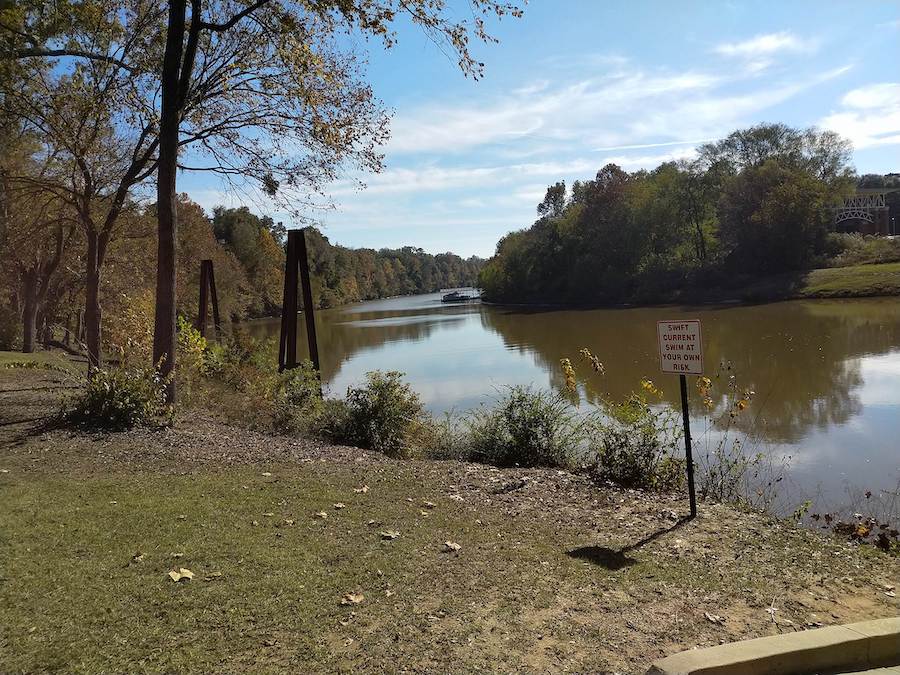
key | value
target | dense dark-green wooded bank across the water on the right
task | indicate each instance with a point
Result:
(752, 208)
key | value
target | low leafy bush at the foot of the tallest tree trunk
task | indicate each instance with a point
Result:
(121, 398)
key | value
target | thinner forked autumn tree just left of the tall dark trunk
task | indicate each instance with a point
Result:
(82, 89)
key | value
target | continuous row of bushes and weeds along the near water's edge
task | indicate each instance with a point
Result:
(635, 442)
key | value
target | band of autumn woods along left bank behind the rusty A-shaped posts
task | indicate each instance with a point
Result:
(41, 287)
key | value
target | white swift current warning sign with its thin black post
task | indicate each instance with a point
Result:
(681, 353)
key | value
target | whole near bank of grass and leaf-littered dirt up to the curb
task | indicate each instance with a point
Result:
(310, 557)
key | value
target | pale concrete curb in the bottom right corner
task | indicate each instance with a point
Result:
(853, 646)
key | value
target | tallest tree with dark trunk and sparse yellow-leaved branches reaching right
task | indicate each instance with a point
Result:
(290, 107)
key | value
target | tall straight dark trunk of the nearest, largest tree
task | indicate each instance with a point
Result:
(167, 216)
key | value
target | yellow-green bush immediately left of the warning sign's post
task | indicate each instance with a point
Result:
(636, 445)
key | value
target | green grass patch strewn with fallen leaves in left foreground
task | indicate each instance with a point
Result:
(73, 600)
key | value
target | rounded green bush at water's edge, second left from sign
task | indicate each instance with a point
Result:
(526, 428)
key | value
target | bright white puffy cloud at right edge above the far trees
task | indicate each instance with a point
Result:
(870, 116)
